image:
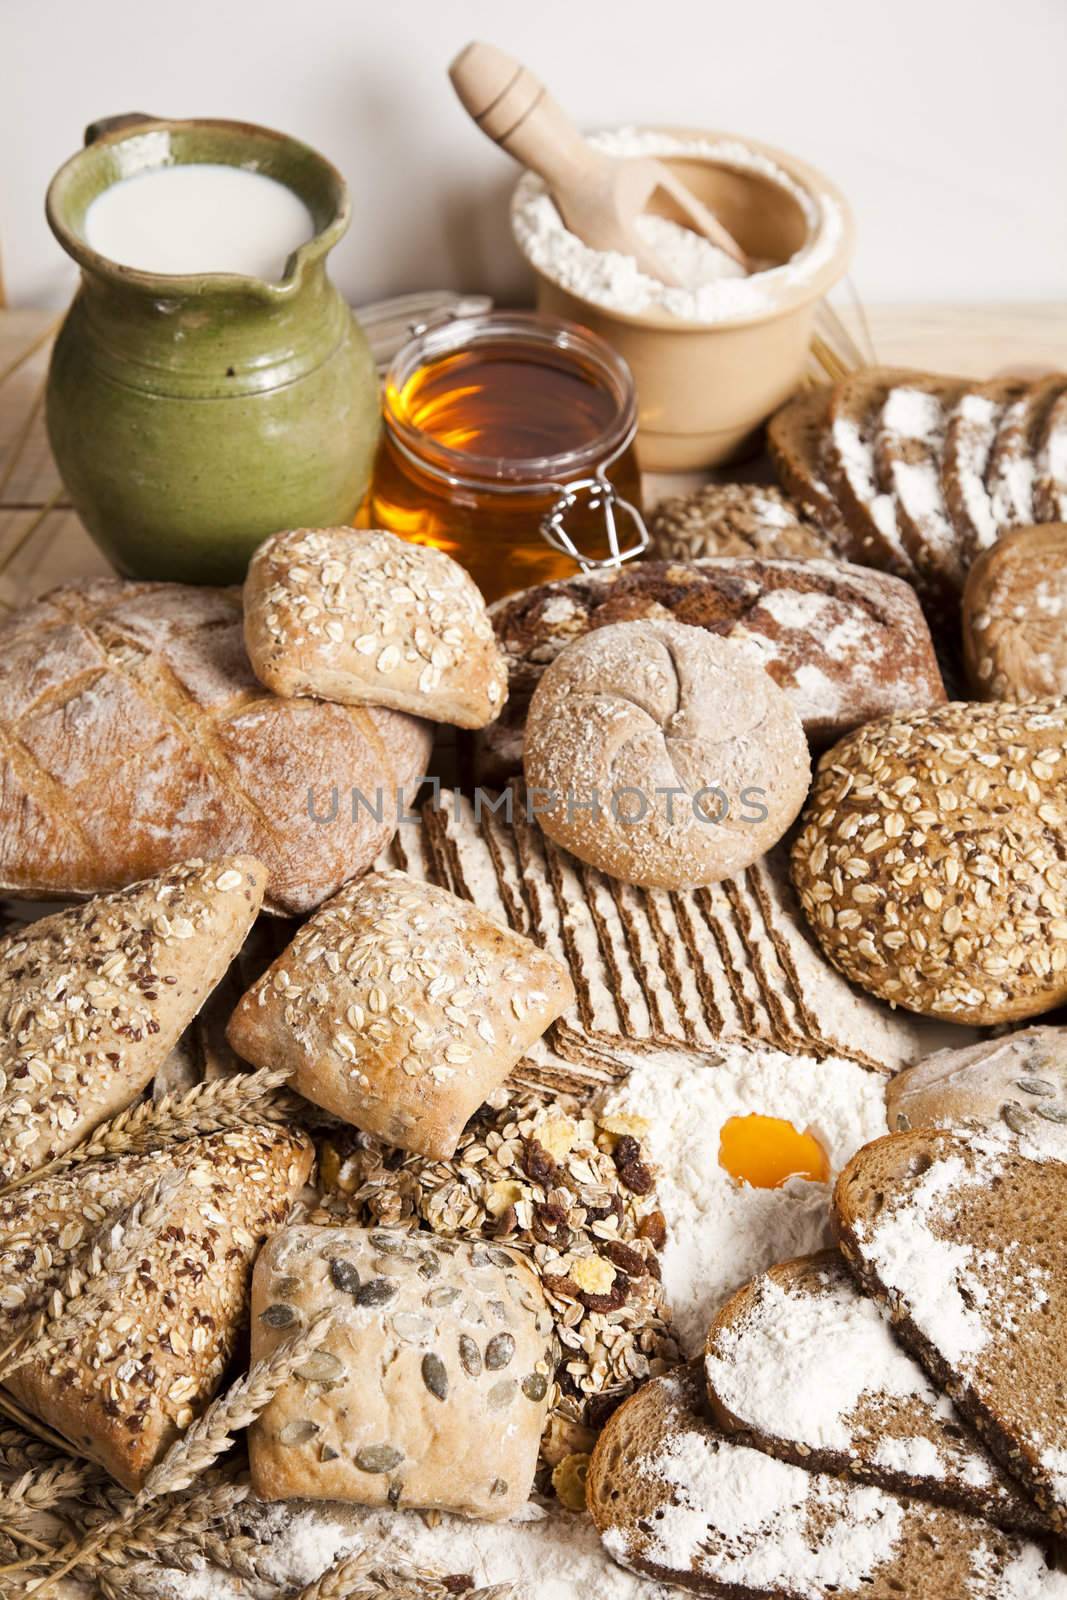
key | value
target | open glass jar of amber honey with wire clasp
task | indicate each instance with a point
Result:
(510, 444)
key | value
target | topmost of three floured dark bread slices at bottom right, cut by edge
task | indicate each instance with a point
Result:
(962, 1241)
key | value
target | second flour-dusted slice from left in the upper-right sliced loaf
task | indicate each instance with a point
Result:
(909, 447)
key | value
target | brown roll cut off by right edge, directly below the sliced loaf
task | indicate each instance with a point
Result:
(1015, 617)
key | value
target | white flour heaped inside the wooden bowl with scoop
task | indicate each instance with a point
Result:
(713, 287)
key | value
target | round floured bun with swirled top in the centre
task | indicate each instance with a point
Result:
(663, 754)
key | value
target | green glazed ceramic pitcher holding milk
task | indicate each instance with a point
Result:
(193, 417)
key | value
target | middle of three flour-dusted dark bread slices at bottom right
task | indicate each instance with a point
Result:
(809, 1370)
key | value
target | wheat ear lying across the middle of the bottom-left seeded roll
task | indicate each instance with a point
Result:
(90, 1287)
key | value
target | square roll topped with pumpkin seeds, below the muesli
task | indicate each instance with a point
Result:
(433, 1385)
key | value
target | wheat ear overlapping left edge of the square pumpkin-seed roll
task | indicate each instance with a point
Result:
(204, 1442)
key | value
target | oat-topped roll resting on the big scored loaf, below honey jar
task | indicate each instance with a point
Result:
(367, 618)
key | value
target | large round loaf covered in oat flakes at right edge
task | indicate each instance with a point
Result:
(933, 860)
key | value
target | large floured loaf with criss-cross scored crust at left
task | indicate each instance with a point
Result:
(134, 735)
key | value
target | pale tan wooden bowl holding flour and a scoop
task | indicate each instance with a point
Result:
(706, 388)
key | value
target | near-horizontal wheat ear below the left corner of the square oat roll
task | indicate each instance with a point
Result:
(206, 1108)
